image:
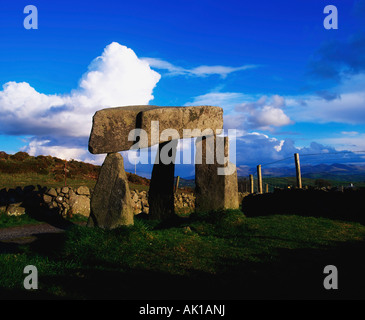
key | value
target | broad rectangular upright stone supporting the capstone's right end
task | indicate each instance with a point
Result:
(214, 191)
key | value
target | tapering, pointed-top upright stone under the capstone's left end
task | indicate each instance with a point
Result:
(111, 200)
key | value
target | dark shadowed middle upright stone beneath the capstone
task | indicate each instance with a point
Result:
(161, 192)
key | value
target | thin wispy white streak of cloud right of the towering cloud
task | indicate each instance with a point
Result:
(200, 71)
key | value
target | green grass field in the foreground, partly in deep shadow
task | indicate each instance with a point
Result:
(220, 255)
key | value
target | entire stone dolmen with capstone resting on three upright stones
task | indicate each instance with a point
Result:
(137, 127)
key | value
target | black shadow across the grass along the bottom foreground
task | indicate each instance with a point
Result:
(290, 274)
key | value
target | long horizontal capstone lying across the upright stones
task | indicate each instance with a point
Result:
(112, 126)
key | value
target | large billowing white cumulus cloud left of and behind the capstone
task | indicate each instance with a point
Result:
(116, 78)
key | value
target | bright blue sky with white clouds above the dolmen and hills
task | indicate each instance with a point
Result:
(284, 81)
